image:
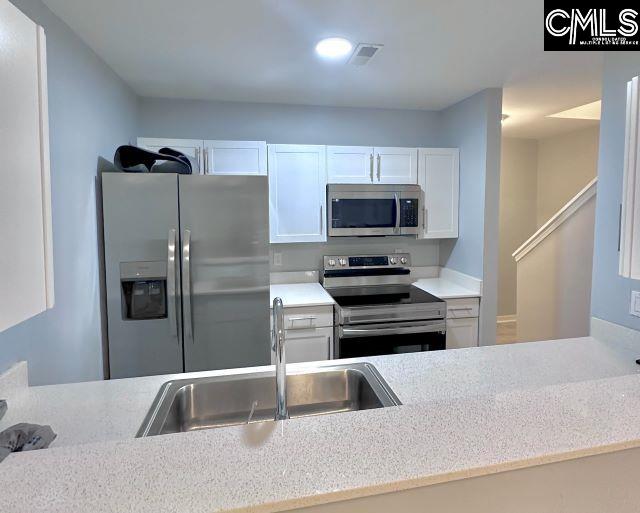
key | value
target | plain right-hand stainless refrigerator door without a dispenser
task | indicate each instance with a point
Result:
(225, 262)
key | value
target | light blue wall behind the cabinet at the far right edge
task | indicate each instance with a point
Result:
(610, 294)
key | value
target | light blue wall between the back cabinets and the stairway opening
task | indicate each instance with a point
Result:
(473, 125)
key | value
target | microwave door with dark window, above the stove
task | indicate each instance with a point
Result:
(360, 213)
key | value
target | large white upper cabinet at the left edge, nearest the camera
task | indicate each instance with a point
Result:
(26, 259)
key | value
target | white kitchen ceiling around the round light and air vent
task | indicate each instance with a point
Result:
(435, 53)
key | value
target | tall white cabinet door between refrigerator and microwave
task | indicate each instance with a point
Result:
(297, 193)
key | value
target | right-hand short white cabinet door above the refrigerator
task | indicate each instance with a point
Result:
(235, 157)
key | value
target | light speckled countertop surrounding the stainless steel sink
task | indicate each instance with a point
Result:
(565, 399)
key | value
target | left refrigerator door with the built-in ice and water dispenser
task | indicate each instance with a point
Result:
(142, 264)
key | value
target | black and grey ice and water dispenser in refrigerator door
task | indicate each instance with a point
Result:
(143, 287)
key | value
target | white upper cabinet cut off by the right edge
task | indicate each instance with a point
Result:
(629, 236)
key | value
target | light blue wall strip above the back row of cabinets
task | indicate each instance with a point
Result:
(295, 124)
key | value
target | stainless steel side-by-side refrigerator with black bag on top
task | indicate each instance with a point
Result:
(186, 271)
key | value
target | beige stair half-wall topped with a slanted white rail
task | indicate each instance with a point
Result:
(553, 297)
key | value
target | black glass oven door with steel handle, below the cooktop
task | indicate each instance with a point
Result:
(390, 338)
